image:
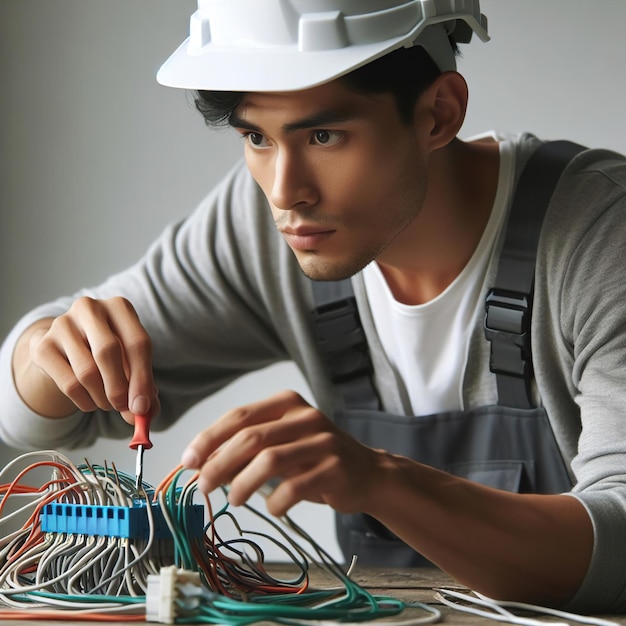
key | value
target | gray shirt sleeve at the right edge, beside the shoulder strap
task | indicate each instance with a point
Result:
(582, 357)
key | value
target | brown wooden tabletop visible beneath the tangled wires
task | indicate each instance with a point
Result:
(409, 585)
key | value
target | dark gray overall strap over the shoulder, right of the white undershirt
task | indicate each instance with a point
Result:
(509, 301)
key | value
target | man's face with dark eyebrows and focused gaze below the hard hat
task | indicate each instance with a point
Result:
(344, 176)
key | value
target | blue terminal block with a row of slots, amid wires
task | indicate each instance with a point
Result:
(117, 521)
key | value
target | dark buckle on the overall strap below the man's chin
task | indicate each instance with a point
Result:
(341, 337)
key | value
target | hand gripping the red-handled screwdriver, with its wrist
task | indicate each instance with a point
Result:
(95, 356)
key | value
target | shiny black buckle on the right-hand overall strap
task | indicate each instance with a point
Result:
(507, 327)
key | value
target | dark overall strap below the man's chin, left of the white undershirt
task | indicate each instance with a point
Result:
(343, 343)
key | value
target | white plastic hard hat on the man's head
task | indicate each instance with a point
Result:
(285, 45)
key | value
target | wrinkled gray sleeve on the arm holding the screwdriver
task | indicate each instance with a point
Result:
(208, 293)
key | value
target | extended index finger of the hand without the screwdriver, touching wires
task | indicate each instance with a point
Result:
(209, 440)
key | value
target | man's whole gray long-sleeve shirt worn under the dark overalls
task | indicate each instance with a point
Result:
(221, 294)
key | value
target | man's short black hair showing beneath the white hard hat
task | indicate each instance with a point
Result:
(406, 73)
